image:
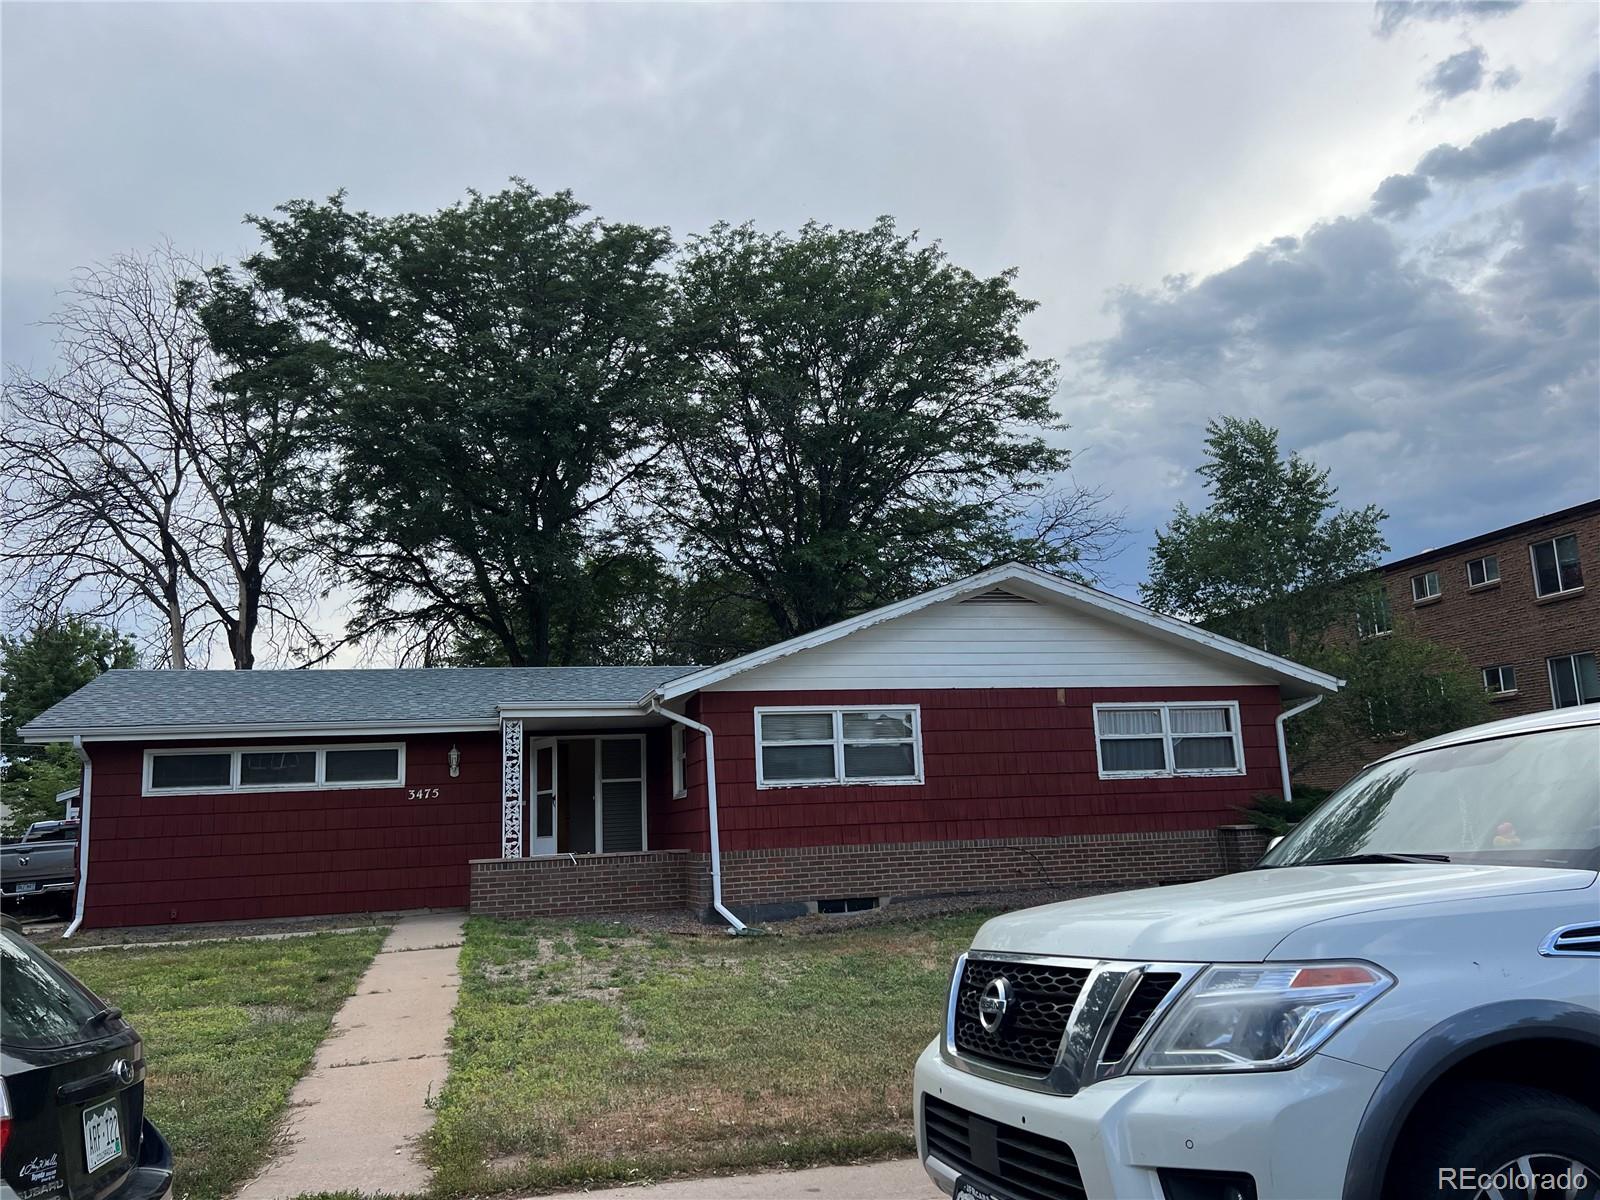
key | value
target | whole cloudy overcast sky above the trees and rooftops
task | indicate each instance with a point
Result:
(1374, 228)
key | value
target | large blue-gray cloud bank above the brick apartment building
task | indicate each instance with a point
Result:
(1409, 367)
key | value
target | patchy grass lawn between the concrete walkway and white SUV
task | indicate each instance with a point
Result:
(590, 1054)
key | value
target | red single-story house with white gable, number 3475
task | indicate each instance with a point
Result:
(1007, 730)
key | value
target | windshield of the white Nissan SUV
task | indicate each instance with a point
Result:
(1524, 801)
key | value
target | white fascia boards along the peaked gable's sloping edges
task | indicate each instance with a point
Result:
(1033, 580)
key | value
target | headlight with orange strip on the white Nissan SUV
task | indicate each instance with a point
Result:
(1260, 1018)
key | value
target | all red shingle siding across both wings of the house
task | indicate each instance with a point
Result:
(999, 764)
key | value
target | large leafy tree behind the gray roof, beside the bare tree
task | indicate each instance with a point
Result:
(494, 382)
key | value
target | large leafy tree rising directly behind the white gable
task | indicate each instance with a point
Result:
(863, 420)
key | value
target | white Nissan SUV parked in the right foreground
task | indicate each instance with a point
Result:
(1401, 1001)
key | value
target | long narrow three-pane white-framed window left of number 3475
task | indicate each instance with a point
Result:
(273, 769)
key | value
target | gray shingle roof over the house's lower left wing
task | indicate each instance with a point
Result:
(310, 698)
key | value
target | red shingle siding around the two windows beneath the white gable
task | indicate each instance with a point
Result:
(998, 762)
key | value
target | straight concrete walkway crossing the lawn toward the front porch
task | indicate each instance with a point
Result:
(354, 1119)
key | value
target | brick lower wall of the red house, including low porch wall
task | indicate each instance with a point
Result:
(751, 879)
